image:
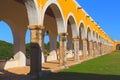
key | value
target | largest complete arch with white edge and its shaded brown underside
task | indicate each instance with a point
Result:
(58, 15)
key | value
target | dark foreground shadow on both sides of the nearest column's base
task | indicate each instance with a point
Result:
(60, 76)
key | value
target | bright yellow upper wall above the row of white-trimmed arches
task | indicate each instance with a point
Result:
(69, 6)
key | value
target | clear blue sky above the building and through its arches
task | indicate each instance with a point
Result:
(105, 12)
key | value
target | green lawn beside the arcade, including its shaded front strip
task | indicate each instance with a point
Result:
(106, 67)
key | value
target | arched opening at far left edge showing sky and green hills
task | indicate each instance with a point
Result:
(6, 41)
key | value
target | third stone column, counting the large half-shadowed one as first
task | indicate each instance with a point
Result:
(76, 48)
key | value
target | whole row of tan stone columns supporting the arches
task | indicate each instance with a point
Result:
(95, 49)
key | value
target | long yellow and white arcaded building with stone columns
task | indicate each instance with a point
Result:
(79, 34)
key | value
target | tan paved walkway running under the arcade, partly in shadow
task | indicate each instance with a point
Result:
(20, 73)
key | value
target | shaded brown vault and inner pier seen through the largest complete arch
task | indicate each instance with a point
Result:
(53, 15)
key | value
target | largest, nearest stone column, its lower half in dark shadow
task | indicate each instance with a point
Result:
(35, 55)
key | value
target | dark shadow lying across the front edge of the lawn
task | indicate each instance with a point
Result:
(80, 76)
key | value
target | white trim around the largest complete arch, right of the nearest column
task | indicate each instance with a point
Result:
(60, 20)
